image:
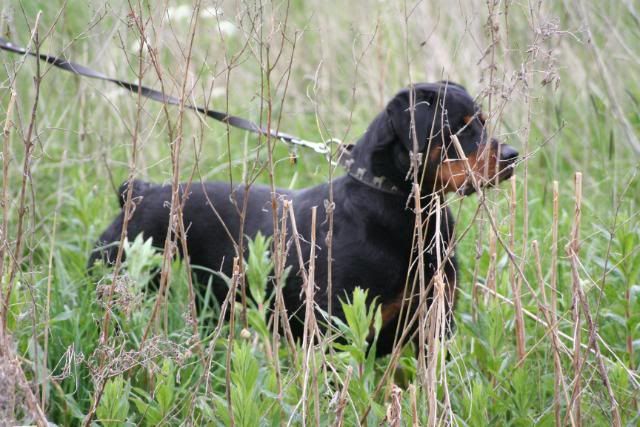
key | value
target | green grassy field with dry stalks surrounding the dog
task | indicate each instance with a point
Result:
(558, 344)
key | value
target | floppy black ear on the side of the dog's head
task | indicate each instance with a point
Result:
(411, 113)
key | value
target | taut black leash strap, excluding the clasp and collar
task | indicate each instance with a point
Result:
(234, 121)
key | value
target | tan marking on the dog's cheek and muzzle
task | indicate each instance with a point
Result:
(483, 163)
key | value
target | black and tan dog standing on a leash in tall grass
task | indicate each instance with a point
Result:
(374, 220)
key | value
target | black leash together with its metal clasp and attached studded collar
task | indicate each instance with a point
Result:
(344, 157)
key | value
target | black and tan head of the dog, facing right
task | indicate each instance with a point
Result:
(426, 119)
